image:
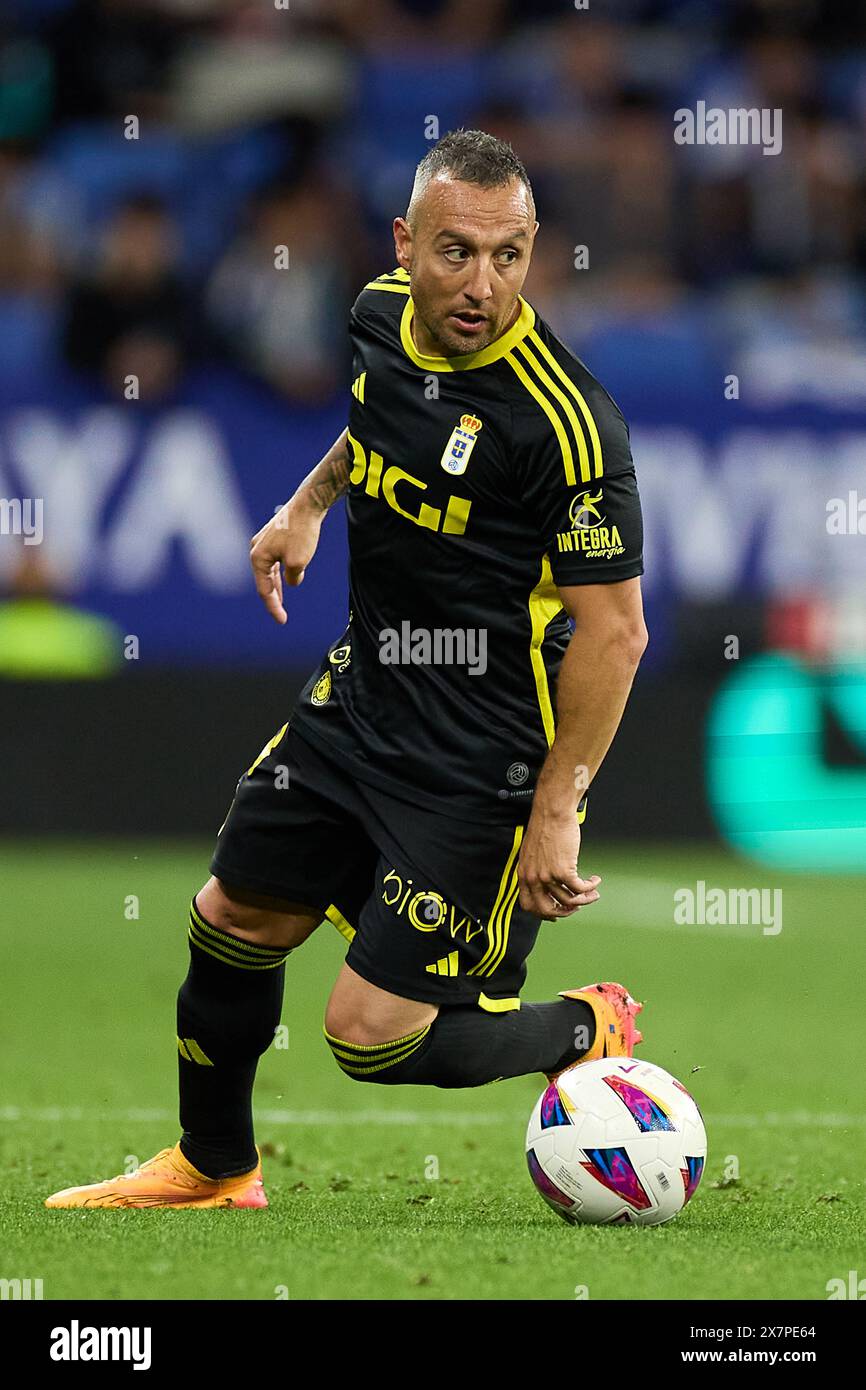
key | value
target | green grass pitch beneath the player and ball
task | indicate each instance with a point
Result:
(90, 1078)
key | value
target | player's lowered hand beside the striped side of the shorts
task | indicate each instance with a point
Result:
(550, 885)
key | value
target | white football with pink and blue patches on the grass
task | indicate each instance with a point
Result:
(616, 1142)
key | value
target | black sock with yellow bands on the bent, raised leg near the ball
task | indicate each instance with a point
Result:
(468, 1047)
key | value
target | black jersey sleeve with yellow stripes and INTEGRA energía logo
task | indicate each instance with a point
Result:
(583, 494)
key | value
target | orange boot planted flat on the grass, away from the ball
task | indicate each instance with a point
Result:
(168, 1181)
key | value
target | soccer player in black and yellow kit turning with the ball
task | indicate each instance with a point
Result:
(427, 794)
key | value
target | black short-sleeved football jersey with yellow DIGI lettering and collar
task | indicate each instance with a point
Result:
(479, 486)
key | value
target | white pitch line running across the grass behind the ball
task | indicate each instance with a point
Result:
(63, 1115)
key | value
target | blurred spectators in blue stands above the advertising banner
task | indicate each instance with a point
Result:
(194, 181)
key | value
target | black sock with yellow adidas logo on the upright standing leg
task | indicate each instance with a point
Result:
(229, 1008)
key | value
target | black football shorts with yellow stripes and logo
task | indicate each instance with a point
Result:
(429, 906)
